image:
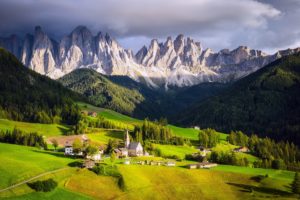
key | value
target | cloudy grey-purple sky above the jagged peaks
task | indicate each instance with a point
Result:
(266, 24)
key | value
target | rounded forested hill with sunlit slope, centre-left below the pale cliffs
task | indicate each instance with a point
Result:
(118, 93)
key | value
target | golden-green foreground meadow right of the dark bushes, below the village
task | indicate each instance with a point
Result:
(150, 182)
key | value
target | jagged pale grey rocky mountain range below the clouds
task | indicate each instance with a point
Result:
(179, 62)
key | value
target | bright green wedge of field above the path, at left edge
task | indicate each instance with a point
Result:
(19, 163)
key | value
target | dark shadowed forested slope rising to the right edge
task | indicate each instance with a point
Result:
(266, 102)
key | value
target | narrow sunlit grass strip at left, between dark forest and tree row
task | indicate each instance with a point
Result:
(44, 129)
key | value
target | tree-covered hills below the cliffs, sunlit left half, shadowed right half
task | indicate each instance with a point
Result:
(124, 95)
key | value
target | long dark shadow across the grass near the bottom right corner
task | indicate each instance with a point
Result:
(251, 188)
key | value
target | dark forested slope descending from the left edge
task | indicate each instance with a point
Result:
(28, 96)
